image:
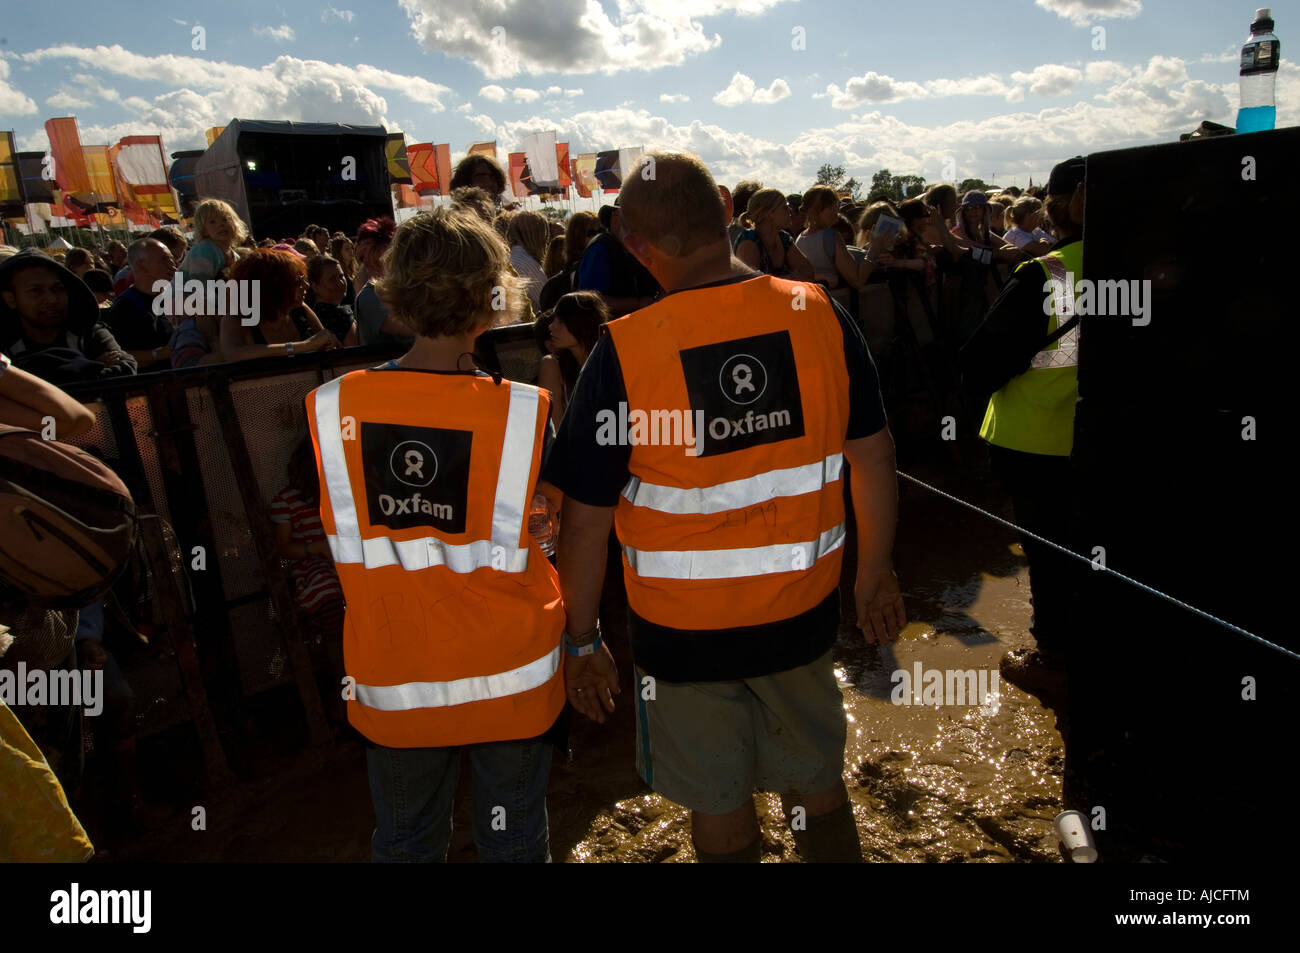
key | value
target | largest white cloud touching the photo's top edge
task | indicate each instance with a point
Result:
(513, 37)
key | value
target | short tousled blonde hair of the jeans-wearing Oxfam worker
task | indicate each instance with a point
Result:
(445, 271)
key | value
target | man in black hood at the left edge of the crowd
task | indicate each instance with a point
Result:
(50, 323)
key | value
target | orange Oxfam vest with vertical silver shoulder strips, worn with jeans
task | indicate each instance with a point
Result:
(454, 616)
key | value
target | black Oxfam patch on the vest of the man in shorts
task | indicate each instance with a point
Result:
(748, 389)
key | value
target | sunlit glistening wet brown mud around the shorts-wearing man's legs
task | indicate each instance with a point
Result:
(947, 783)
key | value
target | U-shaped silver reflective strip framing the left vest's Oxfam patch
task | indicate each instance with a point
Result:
(502, 552)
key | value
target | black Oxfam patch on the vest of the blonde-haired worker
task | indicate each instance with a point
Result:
(417, 476)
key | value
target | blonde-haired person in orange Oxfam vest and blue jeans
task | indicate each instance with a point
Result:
(454, 620)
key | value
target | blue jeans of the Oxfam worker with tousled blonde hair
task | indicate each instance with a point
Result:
(414, 790)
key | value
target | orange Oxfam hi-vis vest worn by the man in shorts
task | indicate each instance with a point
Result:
(743, 526)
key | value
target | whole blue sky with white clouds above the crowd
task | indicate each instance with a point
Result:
(934, 88)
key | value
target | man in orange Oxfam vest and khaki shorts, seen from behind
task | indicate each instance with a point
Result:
(713, 430)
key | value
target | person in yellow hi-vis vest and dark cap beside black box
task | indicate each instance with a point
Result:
(1030, 426)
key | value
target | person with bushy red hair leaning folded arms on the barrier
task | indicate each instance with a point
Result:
(287, 327)
